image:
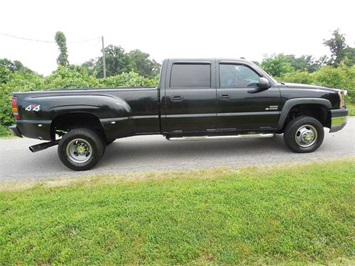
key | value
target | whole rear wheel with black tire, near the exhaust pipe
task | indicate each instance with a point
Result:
(81, 149)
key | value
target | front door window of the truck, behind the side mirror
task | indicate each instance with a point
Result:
(237, 76)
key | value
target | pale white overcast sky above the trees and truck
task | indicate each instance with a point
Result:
(252, 29)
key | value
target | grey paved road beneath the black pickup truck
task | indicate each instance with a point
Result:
(154, 153)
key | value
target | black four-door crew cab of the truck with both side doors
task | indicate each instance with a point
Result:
(217, 96)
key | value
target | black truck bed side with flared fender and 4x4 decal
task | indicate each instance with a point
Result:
(138, 106)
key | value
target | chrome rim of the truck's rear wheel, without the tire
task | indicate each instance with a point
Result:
(79, 151)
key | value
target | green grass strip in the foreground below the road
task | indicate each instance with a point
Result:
(263, 215)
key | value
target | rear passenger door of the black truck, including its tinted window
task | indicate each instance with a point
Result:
(190, 98)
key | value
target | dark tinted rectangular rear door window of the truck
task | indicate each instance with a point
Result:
(190, 75)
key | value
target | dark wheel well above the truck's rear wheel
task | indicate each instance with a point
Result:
(64, 123)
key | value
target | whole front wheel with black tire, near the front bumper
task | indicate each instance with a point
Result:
(304, 134)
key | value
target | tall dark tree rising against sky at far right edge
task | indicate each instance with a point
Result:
(340, 51)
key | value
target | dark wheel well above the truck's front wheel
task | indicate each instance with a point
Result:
(317, 111)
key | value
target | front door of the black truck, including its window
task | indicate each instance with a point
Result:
(241, 105)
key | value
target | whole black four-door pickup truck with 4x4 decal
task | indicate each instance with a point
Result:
(209, 97)
